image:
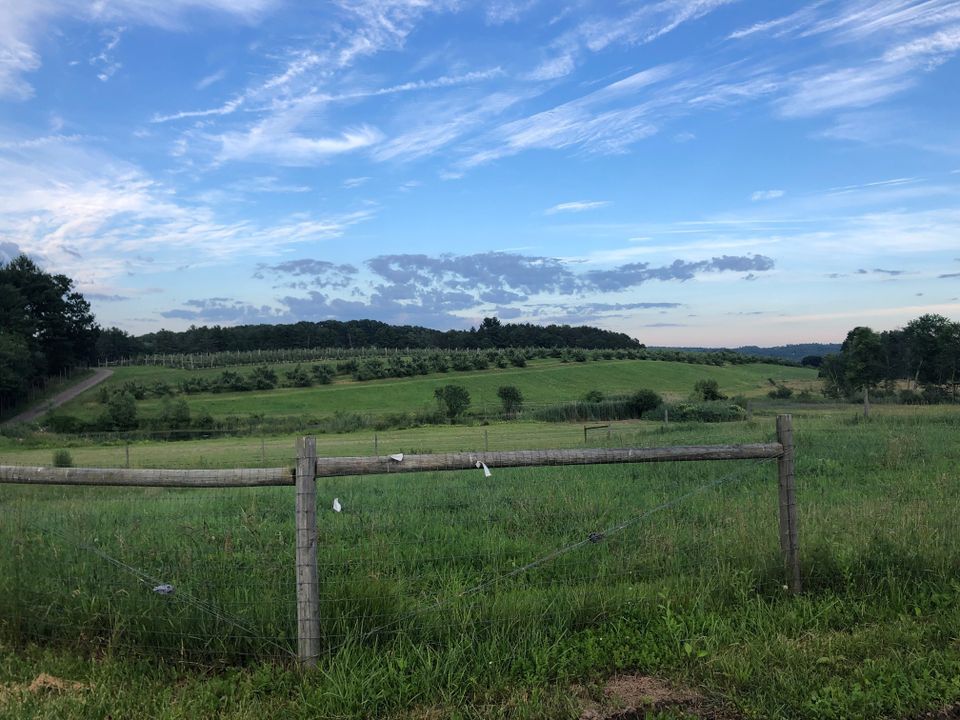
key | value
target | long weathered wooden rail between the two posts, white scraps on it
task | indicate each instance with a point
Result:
(335, 466)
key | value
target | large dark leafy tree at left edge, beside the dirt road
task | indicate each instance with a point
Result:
(45, 326)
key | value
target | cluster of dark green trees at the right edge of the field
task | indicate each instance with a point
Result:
(924, 355)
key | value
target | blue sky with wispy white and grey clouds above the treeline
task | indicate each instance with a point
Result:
(689, 172)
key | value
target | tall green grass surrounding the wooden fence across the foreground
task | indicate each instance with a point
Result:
(421, 617)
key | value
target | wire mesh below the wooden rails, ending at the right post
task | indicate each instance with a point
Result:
(207, 575)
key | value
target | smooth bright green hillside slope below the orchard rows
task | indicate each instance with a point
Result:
(542, 381)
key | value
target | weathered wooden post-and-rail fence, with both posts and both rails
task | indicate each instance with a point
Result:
(309, 467)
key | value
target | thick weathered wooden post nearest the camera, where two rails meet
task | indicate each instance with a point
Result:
(308, 588)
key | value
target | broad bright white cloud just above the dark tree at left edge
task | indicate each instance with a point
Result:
(98, 218)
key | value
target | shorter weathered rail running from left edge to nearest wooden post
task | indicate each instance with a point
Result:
(242, 477)
